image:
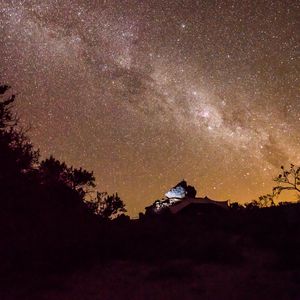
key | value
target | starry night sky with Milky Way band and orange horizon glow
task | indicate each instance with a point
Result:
(146, 93)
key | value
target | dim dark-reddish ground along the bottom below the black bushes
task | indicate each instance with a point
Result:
(254, 278)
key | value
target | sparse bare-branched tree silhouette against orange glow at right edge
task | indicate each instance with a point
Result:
(288, 179)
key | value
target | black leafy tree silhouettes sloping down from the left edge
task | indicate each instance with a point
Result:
(21, 170)
